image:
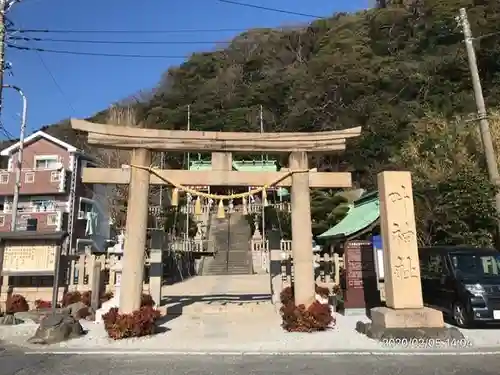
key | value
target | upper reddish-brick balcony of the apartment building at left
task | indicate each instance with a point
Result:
(34, 181)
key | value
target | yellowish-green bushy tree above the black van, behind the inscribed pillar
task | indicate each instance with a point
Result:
(454, 199)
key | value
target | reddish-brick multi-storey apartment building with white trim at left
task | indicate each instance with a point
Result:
(52, 195)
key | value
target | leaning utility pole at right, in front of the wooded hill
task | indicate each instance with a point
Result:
(484, 125)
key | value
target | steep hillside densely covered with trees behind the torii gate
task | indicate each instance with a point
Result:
(399, 71)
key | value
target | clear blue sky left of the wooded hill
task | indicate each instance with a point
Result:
(87, 84)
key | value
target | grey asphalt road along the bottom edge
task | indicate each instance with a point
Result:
(15, 363)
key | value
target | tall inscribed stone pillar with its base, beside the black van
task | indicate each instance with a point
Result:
(405, 315)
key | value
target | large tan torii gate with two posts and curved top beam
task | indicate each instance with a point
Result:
(222, 144)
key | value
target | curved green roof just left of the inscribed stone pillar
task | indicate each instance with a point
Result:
(362, 217)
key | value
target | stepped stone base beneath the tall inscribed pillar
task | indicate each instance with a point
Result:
(424, 326)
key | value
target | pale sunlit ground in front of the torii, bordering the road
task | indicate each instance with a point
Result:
(236, 333)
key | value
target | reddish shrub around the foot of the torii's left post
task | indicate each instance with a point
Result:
(141, 322)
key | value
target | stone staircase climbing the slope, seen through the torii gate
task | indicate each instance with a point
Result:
(231, 240)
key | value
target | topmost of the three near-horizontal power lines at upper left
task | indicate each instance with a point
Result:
(169, 31)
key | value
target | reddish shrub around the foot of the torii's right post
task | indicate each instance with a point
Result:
(317, 317)
